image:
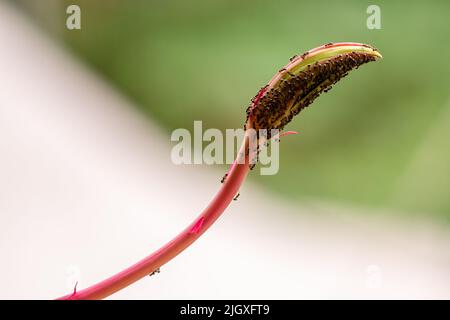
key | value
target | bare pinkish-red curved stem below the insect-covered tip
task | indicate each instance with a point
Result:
(144, 267)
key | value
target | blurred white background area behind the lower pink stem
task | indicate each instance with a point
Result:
(87, 188)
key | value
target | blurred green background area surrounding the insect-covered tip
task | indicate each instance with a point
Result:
(378, 139)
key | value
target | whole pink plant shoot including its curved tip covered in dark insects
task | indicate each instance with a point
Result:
(292, 89)
